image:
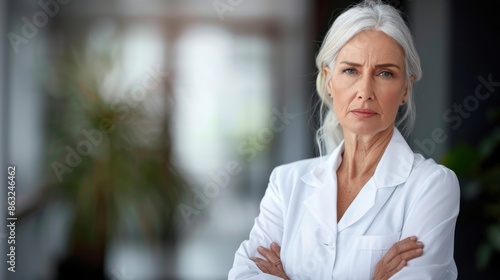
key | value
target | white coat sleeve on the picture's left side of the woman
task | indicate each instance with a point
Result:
(267, 228)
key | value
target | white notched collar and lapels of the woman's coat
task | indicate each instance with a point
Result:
(392, 170)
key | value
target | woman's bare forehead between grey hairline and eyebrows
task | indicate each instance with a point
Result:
(372, 46)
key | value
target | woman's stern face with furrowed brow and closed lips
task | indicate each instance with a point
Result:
(368, 83)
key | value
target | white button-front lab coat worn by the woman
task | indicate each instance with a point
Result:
(407, 195)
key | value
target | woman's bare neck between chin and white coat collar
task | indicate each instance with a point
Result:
(363, 152)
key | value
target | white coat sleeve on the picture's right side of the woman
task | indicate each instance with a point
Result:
(432, 217)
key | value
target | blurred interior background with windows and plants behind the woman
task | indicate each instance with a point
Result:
(144, 132)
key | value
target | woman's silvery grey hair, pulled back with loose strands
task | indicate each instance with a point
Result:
(367, 15)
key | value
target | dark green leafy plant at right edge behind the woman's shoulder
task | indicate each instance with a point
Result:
(478, 170)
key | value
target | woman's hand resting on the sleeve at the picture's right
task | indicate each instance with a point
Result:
(397, 257)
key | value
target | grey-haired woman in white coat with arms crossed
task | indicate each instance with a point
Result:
(370, 208)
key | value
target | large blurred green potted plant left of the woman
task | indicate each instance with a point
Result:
(109, 162)
